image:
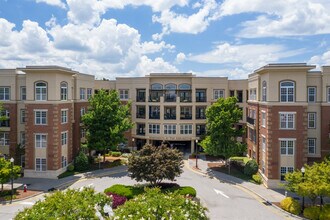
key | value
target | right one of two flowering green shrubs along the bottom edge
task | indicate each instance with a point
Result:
(156, 205)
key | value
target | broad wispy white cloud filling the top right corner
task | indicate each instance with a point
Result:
(281, 17)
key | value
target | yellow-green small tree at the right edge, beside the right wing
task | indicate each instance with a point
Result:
(314, 183)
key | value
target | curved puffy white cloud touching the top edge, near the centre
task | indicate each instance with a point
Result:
(182, 23)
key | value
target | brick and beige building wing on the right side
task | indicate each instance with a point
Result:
(288, 121)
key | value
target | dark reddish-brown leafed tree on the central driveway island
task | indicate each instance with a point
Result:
(154, 164)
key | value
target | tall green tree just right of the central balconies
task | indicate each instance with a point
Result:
(221, 136)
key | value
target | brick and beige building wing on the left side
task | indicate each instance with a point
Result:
(43, 105)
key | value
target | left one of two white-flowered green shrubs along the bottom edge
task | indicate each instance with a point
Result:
(69, 204)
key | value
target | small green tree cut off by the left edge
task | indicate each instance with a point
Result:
(6, 171)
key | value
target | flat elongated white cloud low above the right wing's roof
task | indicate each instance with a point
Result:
(249, 56)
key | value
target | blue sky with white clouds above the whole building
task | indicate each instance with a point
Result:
(127, 38)
